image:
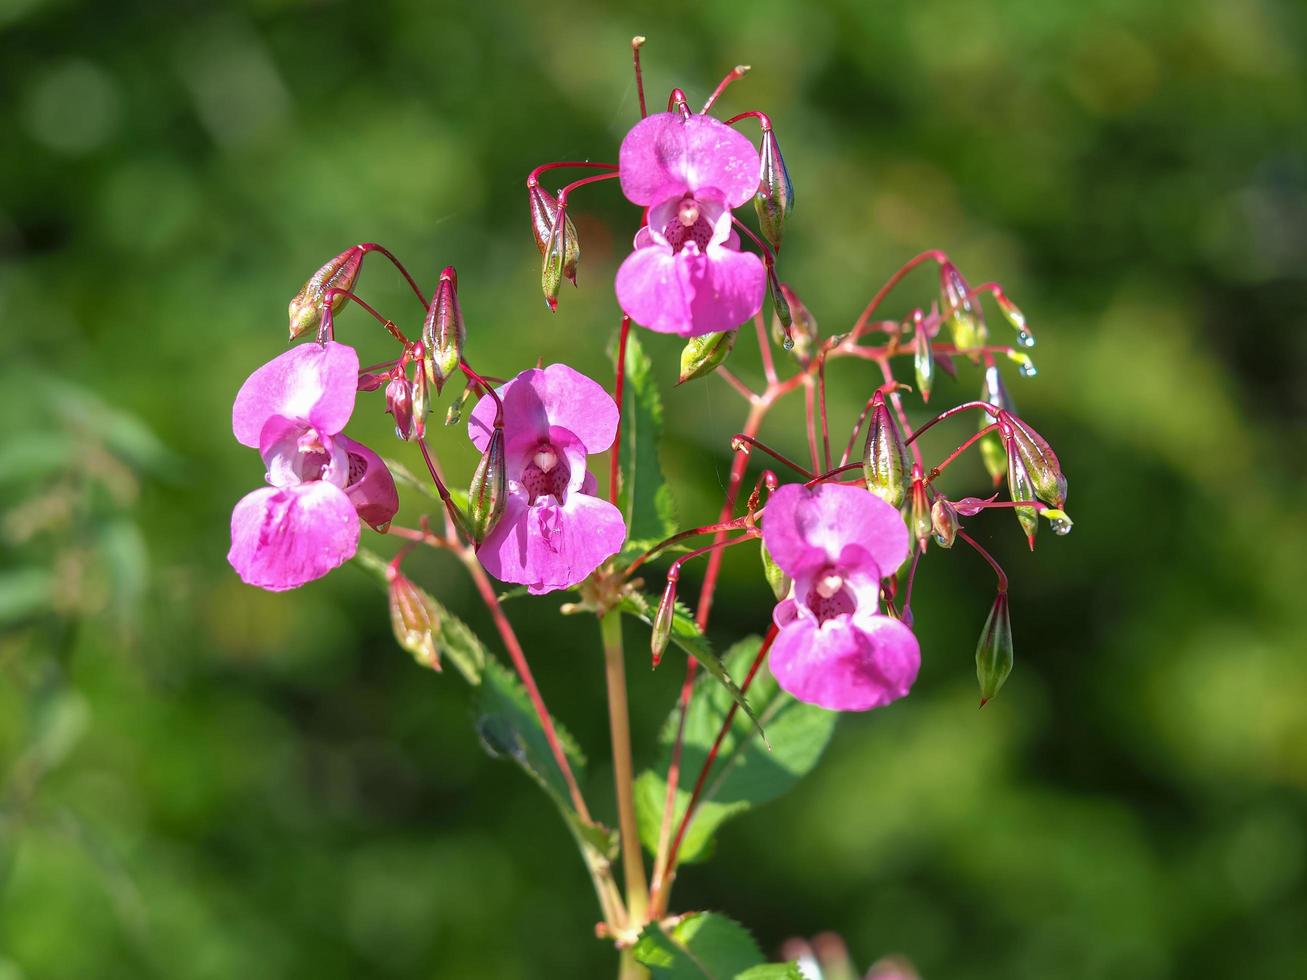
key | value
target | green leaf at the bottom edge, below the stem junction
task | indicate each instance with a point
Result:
(700, 945)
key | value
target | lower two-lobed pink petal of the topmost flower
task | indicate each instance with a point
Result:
(691, 293)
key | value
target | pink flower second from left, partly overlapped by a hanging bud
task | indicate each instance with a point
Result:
(555, 531)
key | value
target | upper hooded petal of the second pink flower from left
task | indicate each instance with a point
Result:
(554, 397)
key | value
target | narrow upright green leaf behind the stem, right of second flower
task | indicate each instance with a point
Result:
(645, 500)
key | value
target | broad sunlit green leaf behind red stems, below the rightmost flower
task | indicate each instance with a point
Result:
(744, 774)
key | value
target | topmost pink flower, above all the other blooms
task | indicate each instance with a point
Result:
(688, 275)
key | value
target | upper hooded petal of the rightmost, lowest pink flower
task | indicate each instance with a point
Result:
(831, 525)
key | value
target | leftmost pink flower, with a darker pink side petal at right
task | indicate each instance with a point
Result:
(293, 410)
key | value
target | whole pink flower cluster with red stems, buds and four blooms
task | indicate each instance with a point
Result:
(841, 542)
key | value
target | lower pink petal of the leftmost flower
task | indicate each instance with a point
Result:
(283, 539)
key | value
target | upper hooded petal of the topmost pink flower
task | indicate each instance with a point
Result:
(665, 156)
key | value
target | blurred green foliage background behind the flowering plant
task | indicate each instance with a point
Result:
(203, 781)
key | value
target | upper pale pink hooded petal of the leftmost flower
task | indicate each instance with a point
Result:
(310, 384)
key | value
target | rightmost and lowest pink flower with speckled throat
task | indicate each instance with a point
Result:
(835, 649)
